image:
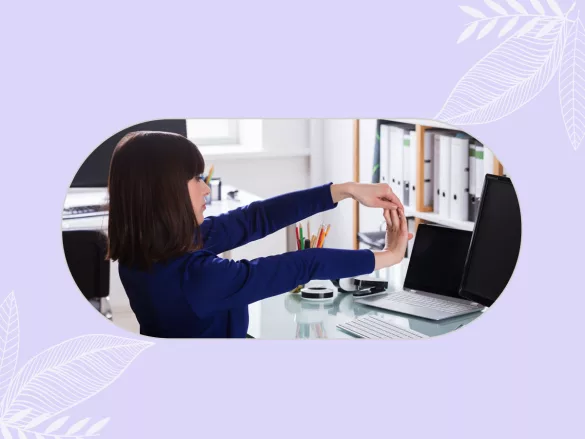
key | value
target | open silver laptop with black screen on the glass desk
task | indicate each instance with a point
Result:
(433, 278)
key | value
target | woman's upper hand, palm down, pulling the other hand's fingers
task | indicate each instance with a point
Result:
(369, 194)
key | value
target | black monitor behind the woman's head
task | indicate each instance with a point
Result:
(95, 169)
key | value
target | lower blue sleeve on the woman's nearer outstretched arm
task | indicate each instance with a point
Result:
(214, 284)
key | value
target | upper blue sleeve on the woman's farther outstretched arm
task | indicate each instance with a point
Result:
(261, 218)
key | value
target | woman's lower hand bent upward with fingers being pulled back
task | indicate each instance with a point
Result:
(397, 238)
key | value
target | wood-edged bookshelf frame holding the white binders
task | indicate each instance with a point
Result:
(420, 212)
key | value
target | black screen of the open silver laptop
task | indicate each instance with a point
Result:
(438, 257)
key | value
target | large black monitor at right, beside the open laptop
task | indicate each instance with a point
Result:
(495, 243)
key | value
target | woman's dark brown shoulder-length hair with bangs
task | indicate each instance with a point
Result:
(151, 217)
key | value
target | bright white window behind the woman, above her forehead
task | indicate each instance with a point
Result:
(208, 132)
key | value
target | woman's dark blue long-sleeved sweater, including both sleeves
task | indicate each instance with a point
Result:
(202, 295)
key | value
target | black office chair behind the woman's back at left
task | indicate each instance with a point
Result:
(85, 252)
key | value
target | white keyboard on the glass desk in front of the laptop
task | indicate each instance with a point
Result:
(379, 327)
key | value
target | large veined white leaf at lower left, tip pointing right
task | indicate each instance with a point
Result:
(69, 373)
